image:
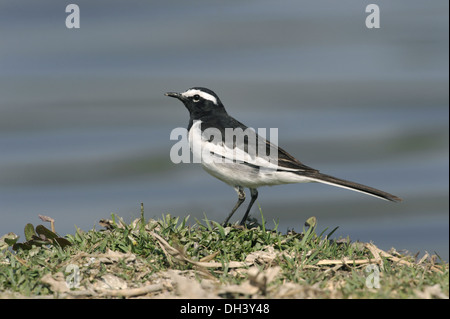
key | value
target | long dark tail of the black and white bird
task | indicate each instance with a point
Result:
(331, 180)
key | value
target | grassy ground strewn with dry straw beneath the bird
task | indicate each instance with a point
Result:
(216, 261)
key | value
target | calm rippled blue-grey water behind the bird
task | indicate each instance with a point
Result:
(84, 124)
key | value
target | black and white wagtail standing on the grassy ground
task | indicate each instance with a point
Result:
(240, 162)
